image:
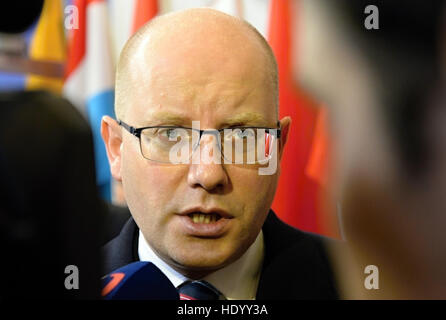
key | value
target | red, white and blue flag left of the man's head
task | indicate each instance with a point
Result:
(89, 81)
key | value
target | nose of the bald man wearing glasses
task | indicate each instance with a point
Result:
(204, 173)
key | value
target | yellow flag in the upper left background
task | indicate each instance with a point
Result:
(48, 45)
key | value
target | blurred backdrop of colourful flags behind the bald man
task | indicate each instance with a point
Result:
(73, 48)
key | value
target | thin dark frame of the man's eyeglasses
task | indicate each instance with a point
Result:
(137, 132)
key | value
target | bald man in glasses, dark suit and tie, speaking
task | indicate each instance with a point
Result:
(205, 220)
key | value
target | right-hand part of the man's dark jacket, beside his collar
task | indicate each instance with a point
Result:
(295, 264)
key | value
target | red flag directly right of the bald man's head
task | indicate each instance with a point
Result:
(298, 195)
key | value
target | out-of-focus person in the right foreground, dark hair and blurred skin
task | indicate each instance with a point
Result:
(386, 91)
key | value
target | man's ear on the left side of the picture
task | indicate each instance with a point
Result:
(111, 134)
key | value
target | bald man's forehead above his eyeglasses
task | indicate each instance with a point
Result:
(200, 79)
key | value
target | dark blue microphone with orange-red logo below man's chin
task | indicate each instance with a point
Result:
(138, 281)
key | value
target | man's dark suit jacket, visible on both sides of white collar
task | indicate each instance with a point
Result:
(295, 265)
